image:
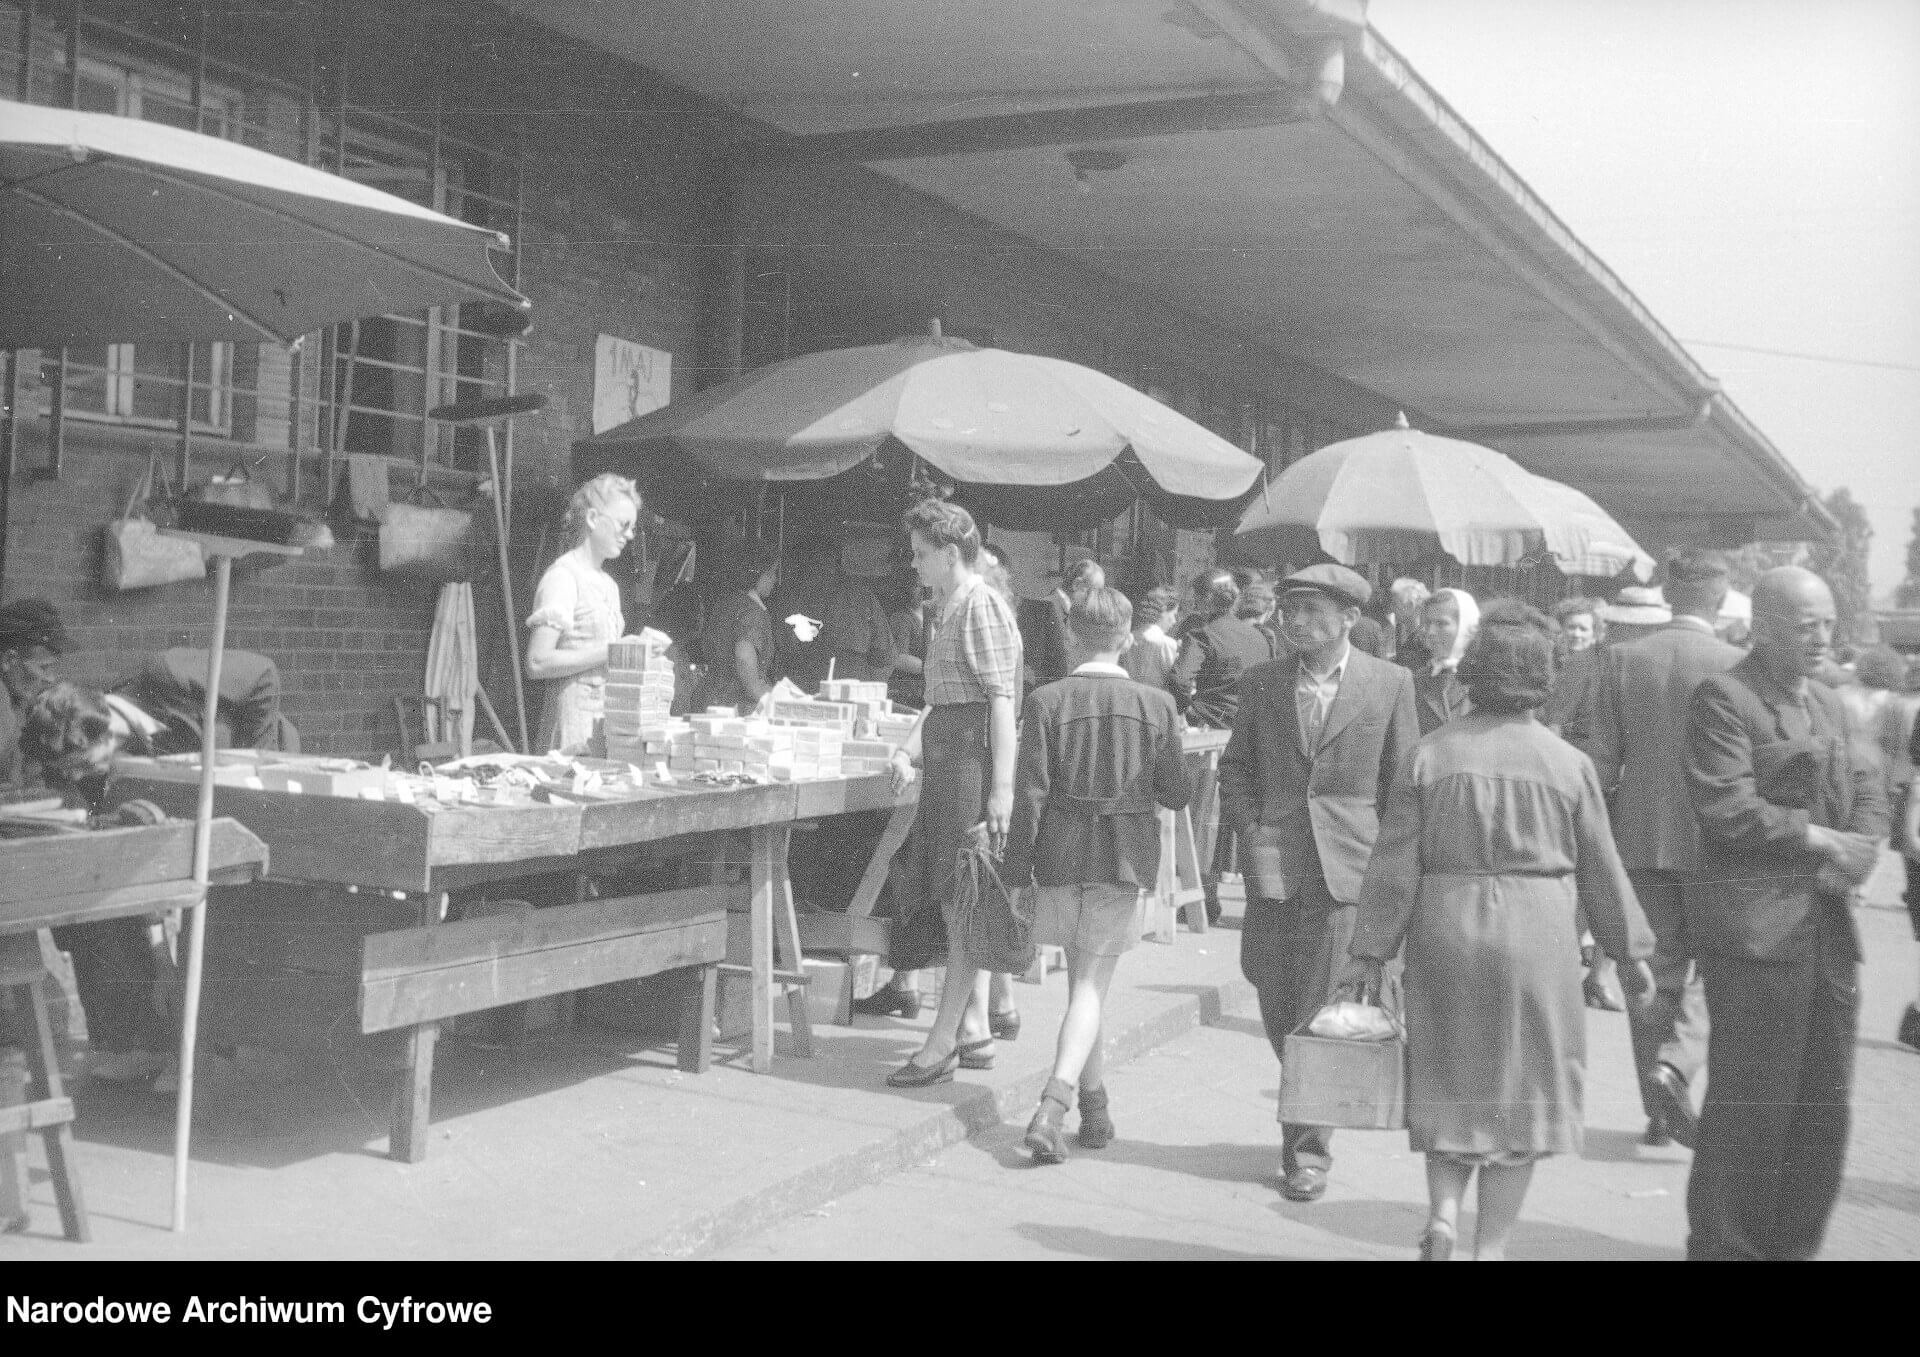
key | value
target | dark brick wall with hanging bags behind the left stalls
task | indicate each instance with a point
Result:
(606, 249)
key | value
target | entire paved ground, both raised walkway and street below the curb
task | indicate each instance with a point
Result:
(590, 1147)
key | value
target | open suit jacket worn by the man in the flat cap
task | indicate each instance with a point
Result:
(1316, 813)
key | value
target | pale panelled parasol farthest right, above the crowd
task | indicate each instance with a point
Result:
(1404, 496)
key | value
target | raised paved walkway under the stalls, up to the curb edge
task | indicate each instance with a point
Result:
(581, 1145)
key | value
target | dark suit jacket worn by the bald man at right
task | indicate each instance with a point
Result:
(1756, 786)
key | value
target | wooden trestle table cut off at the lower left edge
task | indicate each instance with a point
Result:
(84, 878)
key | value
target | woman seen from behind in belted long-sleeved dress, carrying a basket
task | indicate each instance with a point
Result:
(1493, 832)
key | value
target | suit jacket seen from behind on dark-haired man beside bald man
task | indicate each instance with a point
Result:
(1639, 742)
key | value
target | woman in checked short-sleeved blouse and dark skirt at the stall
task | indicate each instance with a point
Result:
(965, 746)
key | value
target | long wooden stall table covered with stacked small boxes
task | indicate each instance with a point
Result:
(439, 968)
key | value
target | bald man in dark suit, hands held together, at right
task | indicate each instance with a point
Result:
(1790, 822)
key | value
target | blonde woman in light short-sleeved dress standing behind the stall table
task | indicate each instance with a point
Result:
(577, 613)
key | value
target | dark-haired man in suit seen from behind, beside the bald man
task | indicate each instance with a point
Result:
(1637, 740)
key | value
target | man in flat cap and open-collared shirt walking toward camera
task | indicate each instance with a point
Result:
(1318, 740)
